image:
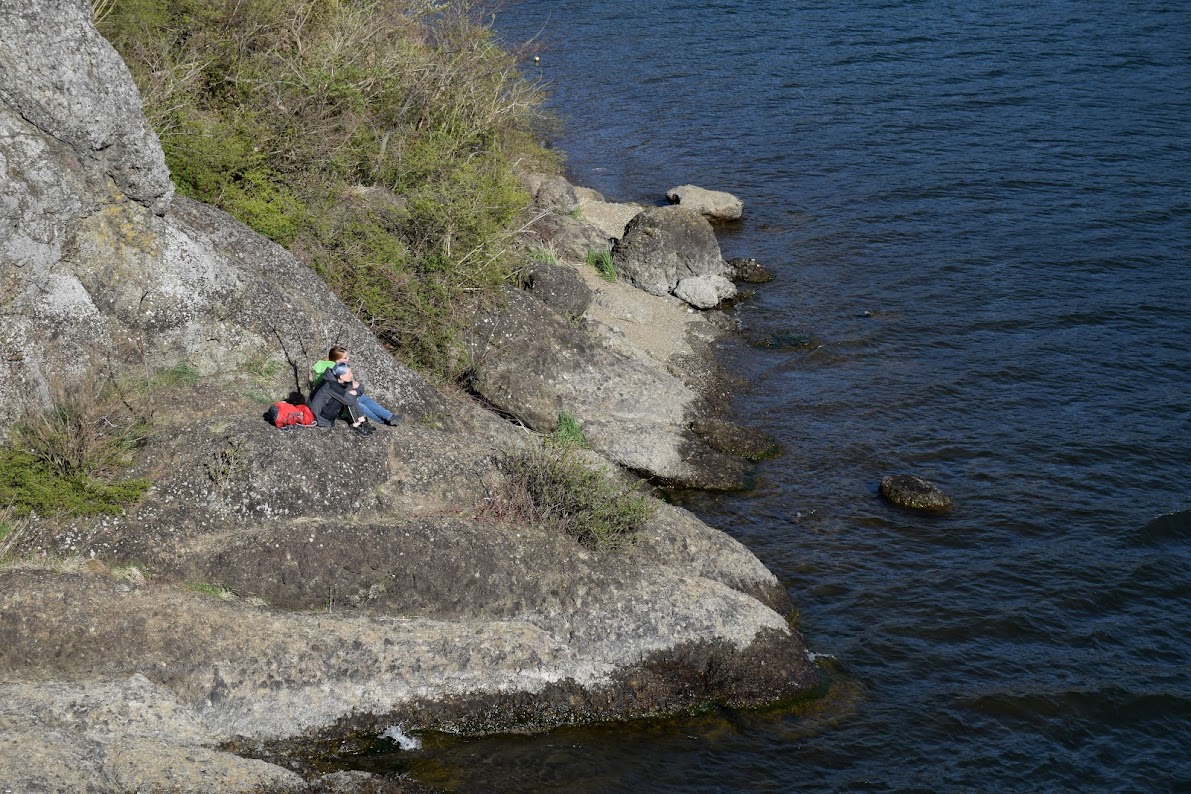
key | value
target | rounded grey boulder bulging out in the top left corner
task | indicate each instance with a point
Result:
(74, 133)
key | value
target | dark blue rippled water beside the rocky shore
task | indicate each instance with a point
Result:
(1005, 187)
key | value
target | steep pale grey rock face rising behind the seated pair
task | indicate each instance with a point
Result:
(103, 268)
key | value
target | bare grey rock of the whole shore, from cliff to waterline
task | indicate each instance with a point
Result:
(277, 591)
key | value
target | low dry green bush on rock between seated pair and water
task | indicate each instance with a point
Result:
(552, 486)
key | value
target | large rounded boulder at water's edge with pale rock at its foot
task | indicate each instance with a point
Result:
(665, 247)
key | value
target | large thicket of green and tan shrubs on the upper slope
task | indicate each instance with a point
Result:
(375, 139)
